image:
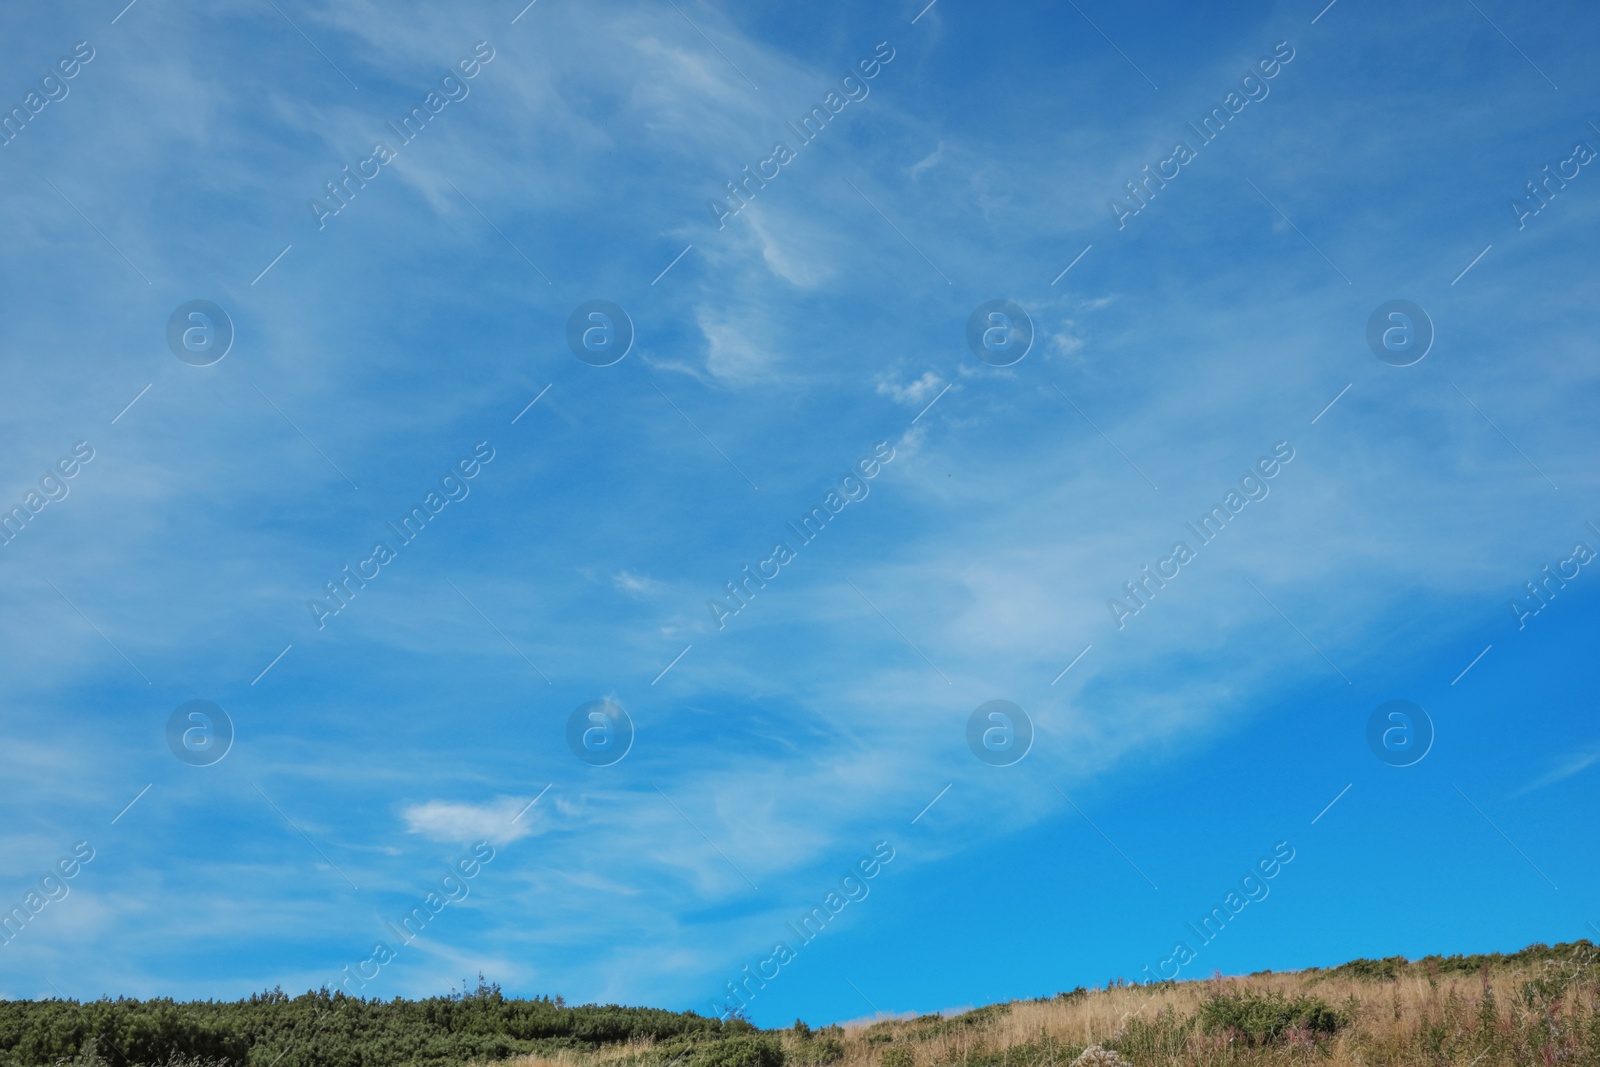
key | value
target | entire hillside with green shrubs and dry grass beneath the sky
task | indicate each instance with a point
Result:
(1534, 1009)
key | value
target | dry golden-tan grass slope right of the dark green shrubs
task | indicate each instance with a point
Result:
(1535, 1009)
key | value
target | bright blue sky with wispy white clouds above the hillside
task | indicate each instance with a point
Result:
(377, 350)
